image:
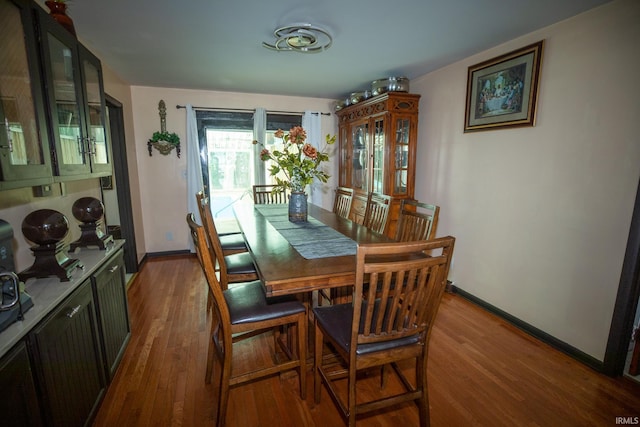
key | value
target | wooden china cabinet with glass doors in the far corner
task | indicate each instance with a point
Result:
(378, 140)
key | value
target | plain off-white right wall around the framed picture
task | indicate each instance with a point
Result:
(541, 214)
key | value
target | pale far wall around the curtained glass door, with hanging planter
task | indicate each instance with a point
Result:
(163, 178)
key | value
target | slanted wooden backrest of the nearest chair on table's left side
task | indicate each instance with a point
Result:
(207, 262)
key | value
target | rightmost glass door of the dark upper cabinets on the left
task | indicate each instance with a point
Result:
(95, 112)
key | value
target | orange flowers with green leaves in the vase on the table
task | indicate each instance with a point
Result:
(298, 160)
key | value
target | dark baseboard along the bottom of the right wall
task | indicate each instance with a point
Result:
(533, 331)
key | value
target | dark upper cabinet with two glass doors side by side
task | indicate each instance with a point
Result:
(76, 103)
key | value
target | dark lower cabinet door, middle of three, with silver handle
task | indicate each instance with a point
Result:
(70, 361)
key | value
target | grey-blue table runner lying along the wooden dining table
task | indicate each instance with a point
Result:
(312, 239)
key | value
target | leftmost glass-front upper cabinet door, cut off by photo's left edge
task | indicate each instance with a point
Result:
(24, 148)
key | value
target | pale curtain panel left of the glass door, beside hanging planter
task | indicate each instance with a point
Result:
(195, 181)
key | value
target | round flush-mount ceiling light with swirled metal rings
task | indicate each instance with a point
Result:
(305, 38)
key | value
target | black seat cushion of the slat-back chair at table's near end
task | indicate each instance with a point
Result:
(335, 321)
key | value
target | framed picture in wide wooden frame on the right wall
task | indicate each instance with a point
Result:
(502, 92)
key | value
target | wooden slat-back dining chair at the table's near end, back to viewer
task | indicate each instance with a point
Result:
(375, 330)
